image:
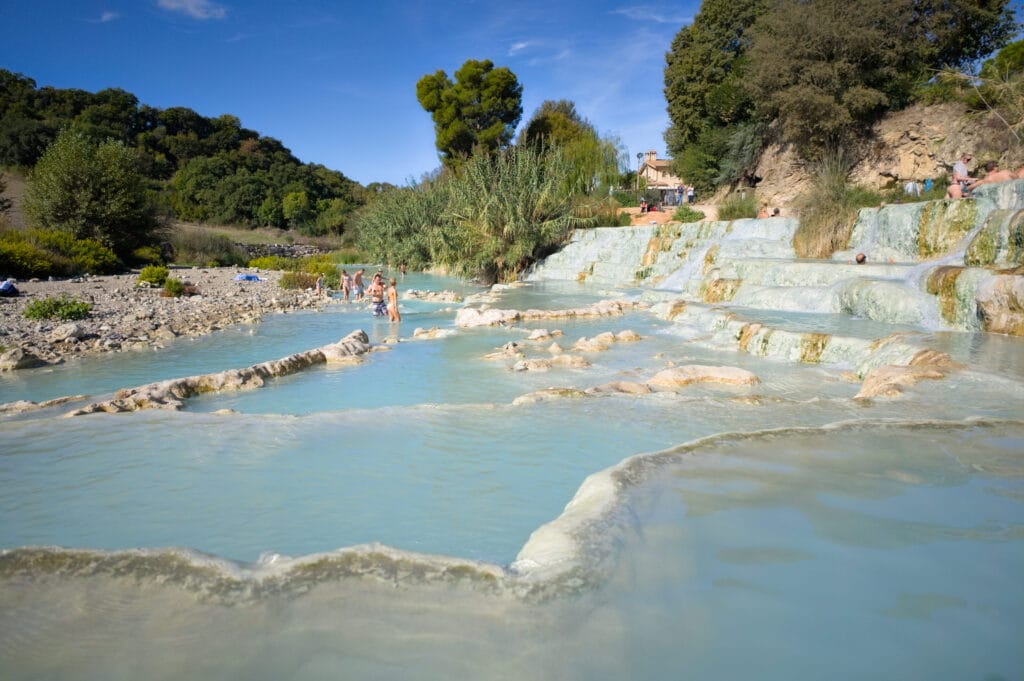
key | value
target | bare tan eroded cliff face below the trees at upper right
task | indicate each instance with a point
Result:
(918, 143)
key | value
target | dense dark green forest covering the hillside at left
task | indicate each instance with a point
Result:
(205, 168)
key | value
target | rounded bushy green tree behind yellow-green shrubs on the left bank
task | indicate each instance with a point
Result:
(92, 192)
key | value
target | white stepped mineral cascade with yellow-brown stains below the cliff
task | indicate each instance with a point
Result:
(925, 262)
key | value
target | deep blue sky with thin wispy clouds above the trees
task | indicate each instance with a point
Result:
(336, 81)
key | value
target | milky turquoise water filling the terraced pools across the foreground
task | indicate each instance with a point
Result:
(217, 542)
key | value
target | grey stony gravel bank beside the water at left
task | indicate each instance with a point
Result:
(127, 317)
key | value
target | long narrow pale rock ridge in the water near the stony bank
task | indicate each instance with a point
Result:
(172, 395)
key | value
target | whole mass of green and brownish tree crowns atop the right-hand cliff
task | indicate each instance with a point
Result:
(824, 69)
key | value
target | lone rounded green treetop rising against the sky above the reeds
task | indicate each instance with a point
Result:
(481, 109)
